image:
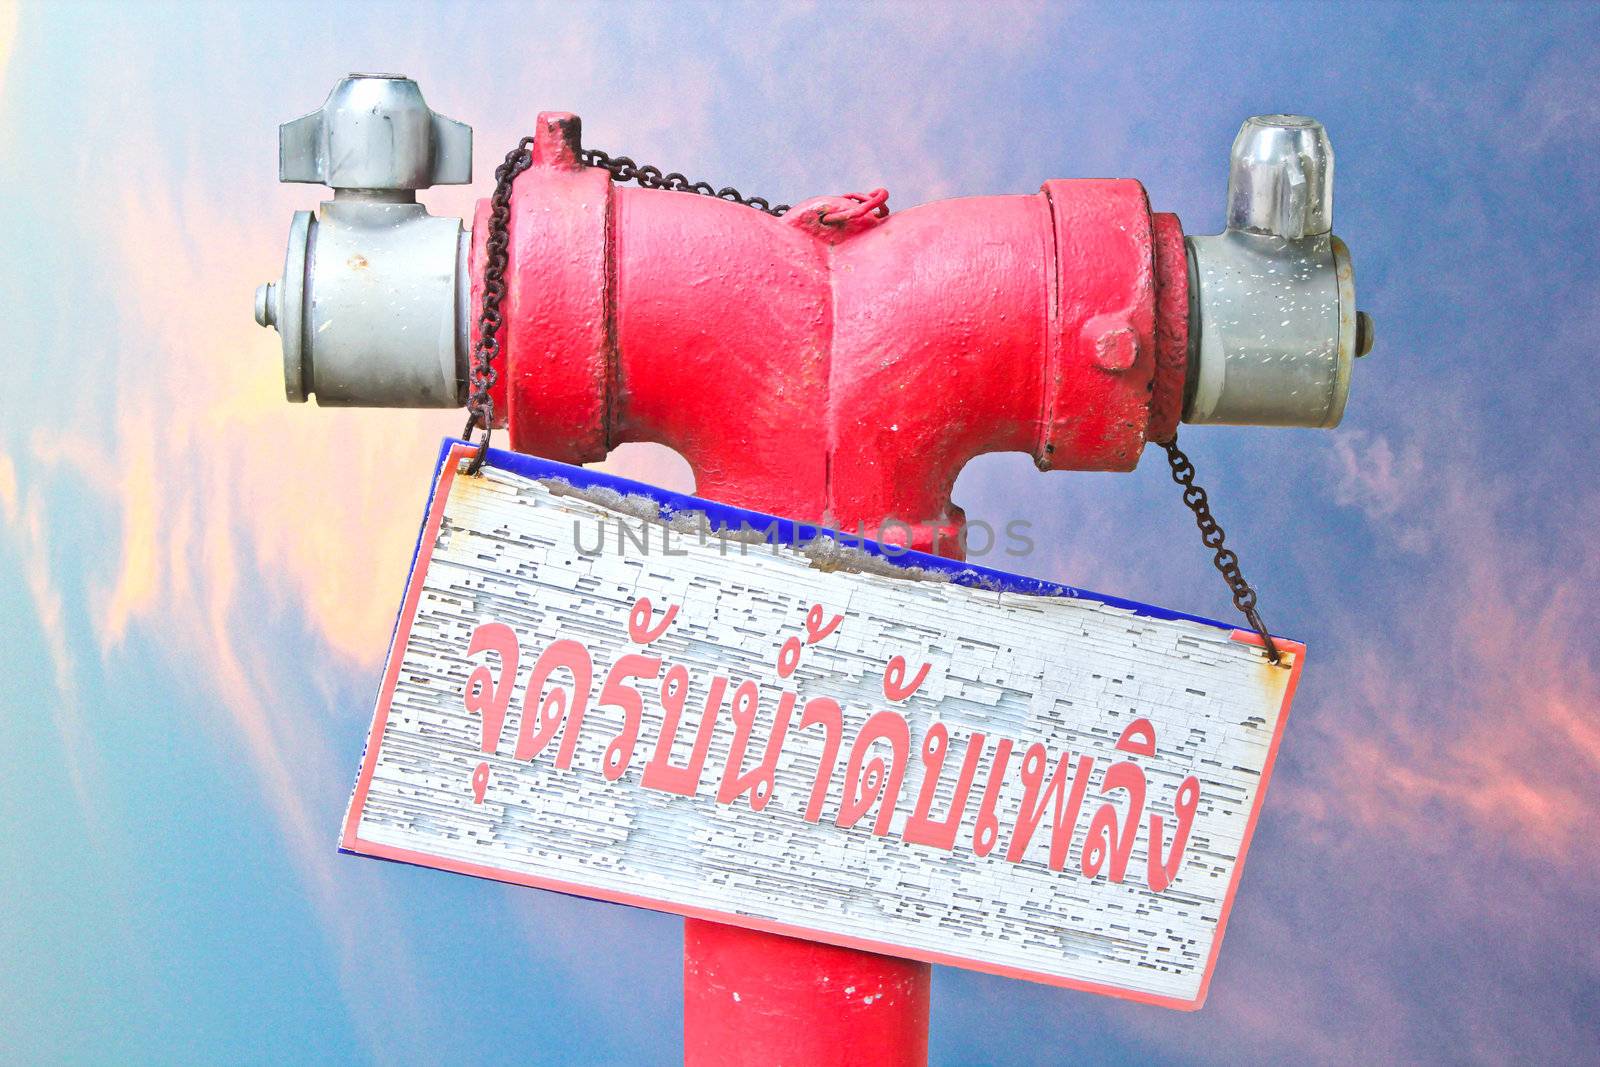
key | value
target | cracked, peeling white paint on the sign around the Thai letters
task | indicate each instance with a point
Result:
(1065, 673)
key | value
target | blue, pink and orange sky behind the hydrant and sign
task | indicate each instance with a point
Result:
(198, 580)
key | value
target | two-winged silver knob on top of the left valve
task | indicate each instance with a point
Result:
(375, 132)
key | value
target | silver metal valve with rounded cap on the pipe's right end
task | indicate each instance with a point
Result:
(1274, 327)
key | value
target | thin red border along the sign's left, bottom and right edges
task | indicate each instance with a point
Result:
(351, 841)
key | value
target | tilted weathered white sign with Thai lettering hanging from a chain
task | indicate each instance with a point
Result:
(602, 689)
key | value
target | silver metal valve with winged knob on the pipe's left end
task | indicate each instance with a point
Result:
(375, 300)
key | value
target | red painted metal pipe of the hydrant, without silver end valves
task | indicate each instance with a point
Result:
(838, 366)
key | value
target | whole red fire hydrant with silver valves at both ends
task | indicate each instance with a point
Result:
(839, 364)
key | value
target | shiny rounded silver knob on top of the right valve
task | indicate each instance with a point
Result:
(1281, 178)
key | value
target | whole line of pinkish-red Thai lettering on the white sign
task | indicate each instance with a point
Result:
(559, 693)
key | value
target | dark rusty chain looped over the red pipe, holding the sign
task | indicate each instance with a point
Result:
(481, 406)
